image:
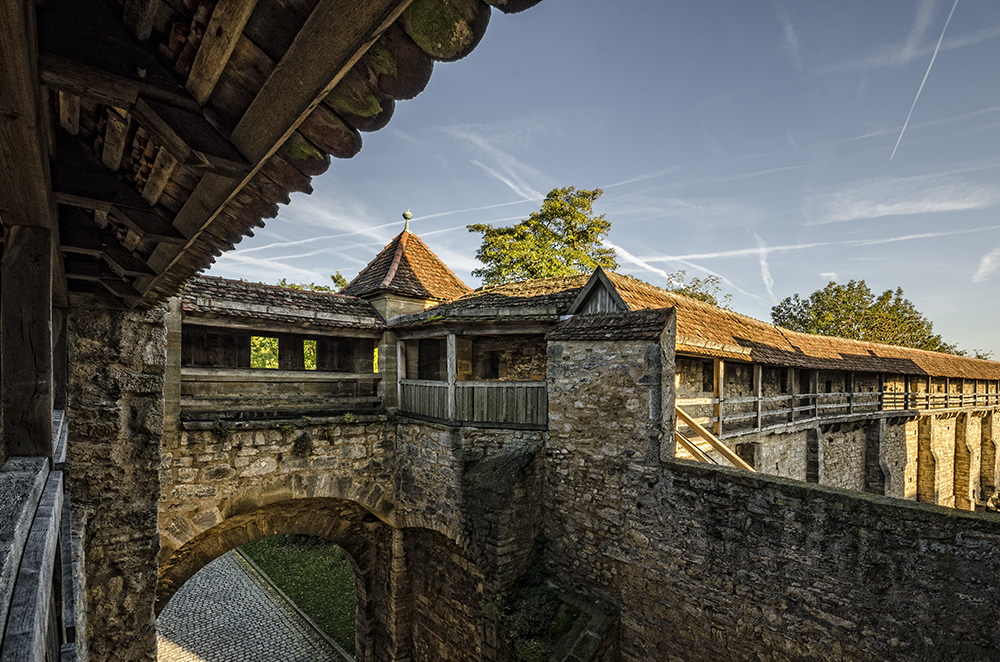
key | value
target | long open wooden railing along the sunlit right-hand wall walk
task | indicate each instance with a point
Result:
(740, 414)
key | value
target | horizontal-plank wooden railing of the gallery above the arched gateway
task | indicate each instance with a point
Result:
(220, 391)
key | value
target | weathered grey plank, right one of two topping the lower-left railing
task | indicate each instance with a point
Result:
(28, 619)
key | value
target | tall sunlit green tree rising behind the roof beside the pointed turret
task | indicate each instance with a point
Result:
(562, 238)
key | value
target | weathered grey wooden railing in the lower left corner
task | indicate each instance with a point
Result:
(37, 583)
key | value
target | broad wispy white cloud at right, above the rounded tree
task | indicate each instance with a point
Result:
(902, 197)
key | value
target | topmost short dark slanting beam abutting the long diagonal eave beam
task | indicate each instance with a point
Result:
(190, 138)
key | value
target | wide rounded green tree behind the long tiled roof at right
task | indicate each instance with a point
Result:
(853, 311)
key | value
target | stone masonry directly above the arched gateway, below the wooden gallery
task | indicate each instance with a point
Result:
(212, 474)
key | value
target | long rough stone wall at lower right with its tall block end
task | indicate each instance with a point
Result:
(706, 563)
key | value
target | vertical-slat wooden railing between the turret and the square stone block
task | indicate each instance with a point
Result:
(495, 403)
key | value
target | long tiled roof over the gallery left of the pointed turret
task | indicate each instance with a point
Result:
(208, 295)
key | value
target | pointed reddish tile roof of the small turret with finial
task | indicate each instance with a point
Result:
(406, 266)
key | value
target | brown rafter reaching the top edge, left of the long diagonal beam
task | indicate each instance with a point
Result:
(221, 35)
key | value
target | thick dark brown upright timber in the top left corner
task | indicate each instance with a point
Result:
(24, 179)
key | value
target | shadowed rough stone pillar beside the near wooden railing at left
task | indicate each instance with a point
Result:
(116, 409)
